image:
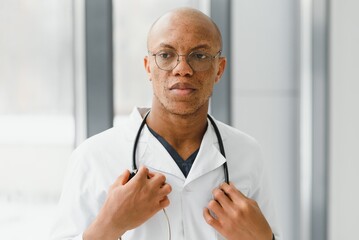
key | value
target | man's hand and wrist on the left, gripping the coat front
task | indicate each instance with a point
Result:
(129, 204)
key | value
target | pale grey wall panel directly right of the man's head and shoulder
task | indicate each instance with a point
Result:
(265, 94)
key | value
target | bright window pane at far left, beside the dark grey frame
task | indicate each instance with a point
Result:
(36, 112)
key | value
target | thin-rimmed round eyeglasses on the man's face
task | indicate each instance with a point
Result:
(168, 59)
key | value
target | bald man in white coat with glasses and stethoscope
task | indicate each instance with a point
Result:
(181, 167)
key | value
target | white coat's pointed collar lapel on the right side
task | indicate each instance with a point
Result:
(208, 158)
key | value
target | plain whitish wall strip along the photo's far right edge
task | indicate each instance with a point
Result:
(344, 120)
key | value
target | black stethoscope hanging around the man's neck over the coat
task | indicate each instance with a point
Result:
(134, 165)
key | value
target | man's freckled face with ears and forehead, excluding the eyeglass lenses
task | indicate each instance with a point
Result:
(183, 90)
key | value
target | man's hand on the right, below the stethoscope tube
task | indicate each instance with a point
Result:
(235, 216)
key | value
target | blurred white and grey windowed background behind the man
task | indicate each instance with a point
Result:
(72, 68)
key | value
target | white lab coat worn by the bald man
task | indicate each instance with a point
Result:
(97, 162)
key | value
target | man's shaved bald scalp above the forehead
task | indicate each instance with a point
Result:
(187, 21)
